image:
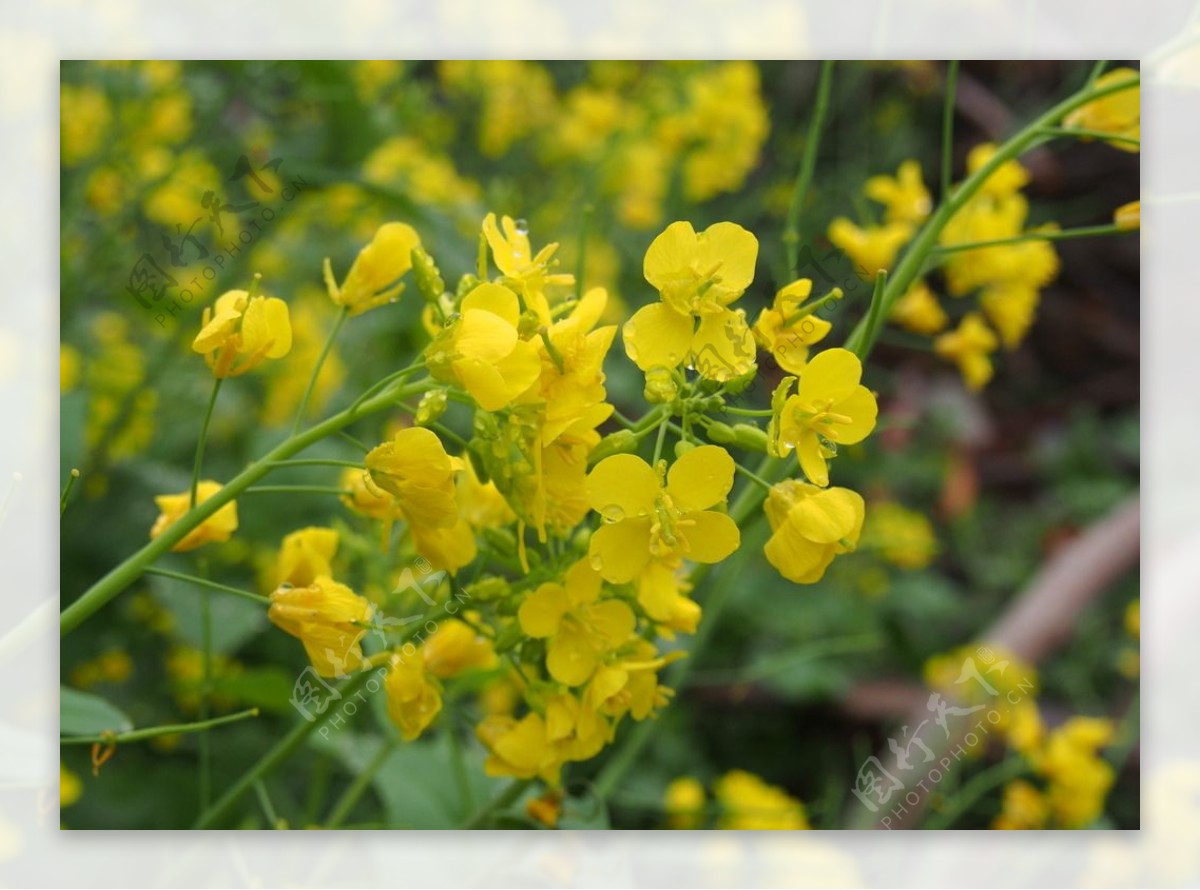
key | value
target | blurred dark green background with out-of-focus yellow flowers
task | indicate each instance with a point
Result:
(166, 165)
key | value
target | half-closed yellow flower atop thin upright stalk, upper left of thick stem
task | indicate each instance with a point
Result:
(241, 332)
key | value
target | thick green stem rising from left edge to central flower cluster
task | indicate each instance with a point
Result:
(133, 568)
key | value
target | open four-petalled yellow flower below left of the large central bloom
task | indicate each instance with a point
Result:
(579, 629)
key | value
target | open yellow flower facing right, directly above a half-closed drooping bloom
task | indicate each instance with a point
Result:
(831, 408)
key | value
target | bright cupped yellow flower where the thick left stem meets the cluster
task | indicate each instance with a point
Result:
(484, 352)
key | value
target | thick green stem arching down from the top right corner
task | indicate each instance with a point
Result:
(915, 256)
